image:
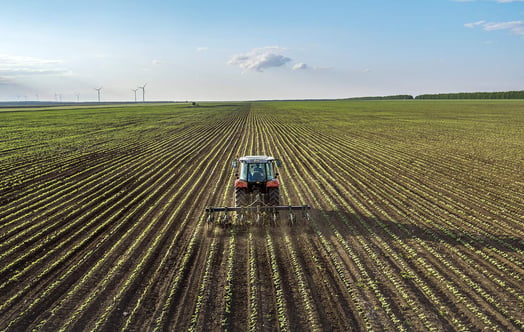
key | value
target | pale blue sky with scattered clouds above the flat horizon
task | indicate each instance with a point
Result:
(196, 50)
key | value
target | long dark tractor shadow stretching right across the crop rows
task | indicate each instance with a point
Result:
(350, 224)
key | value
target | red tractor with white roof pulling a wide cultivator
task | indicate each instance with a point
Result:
(257, 194)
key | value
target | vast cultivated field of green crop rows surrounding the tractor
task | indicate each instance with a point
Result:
(417, 217)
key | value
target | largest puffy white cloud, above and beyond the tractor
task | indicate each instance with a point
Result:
(259, 59)
